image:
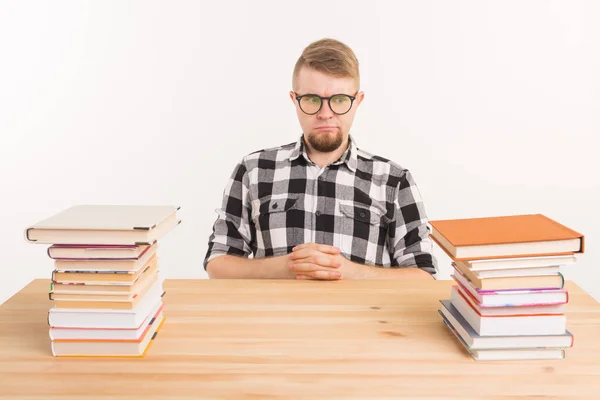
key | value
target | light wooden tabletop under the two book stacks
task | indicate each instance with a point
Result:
(240, 339)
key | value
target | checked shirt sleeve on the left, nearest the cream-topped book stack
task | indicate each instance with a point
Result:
(231, 230)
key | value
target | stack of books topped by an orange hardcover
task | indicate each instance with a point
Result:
(509, 299)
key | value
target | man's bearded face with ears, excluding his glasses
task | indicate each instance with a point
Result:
(325, 131)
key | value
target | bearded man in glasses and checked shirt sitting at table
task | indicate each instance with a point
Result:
(321, 208)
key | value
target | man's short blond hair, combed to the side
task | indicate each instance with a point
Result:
(331, 57)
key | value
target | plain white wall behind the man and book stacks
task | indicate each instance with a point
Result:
(494, 107)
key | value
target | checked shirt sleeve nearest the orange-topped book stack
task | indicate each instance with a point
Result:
(409, 241)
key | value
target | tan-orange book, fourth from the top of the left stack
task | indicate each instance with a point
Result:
(104, 277)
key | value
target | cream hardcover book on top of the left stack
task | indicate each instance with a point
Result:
(105, 224)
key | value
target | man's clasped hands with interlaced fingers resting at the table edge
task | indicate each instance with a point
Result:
(320, 261)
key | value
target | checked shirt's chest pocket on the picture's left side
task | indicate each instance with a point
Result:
(277, 224)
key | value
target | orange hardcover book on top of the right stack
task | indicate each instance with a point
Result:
(506, 236)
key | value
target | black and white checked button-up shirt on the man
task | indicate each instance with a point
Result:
(365, 205)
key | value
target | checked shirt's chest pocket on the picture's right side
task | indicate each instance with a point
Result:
(363, 233)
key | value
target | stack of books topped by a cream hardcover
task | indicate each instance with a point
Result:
(106, 288)
